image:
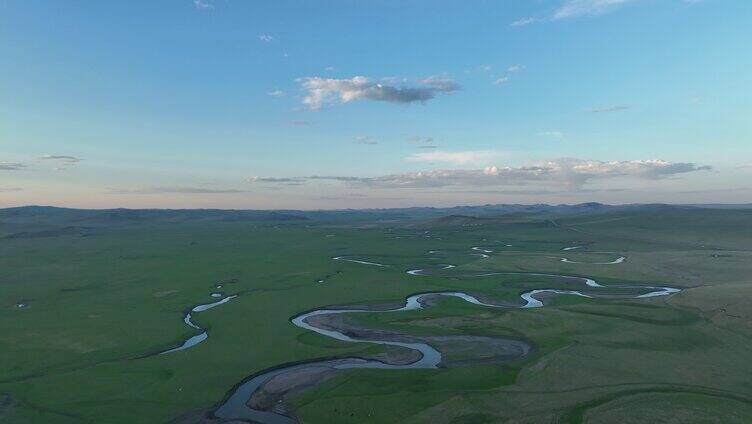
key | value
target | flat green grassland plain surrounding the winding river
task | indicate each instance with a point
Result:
(103, 298)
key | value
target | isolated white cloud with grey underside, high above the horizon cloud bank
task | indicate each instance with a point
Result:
(325, 91)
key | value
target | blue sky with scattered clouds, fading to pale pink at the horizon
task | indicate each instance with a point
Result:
(331, 104)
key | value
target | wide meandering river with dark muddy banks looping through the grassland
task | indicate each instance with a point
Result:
(260, 397)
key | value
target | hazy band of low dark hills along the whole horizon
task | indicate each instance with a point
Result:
(637, 220)
